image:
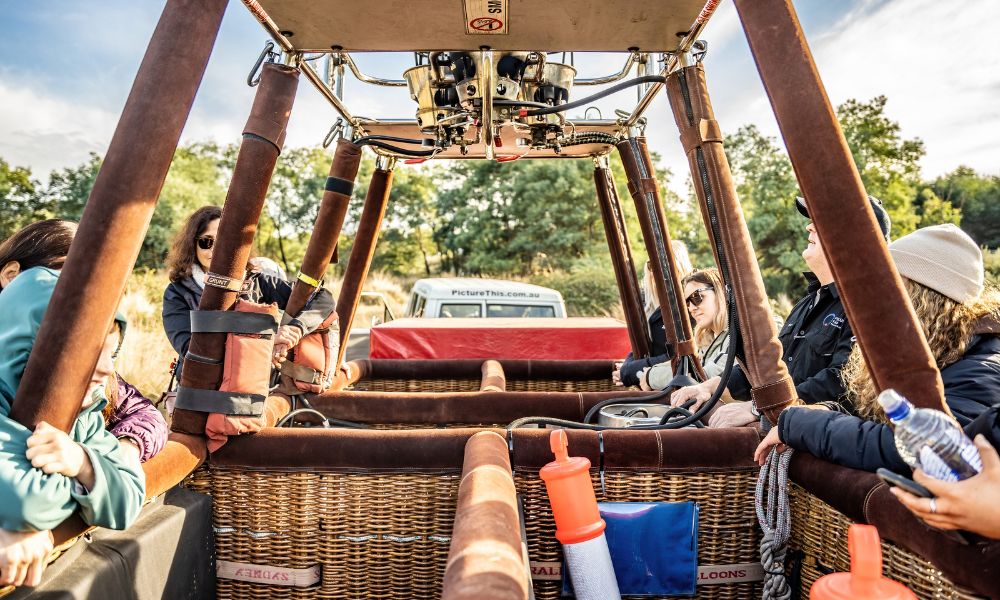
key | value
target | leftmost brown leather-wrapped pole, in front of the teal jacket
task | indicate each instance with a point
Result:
(117, 214)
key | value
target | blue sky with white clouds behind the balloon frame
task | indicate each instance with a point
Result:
(68, 66)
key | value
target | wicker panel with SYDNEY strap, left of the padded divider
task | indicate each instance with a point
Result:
(380, 535)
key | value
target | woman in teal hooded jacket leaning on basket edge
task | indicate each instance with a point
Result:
(44, 476)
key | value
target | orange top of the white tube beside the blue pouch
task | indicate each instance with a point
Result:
(571, 493)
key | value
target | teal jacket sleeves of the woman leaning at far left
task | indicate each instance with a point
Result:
(32, 500)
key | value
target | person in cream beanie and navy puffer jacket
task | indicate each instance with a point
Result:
(942, 271)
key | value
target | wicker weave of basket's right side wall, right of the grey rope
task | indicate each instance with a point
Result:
(820, 532)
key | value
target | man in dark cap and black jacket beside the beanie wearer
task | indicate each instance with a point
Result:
(816, 341)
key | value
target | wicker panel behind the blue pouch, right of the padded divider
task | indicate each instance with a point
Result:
(727, 526)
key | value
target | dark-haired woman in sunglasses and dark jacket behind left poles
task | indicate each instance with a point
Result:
(188, 262)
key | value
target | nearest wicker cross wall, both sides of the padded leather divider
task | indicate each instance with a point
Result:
(386, 535)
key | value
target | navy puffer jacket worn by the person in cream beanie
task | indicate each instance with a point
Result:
(971, 388)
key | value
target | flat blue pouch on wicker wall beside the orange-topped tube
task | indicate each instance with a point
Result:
(654, 547)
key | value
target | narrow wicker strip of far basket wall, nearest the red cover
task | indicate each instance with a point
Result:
(472, 385)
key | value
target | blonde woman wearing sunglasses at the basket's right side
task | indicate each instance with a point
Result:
(708, 311)
